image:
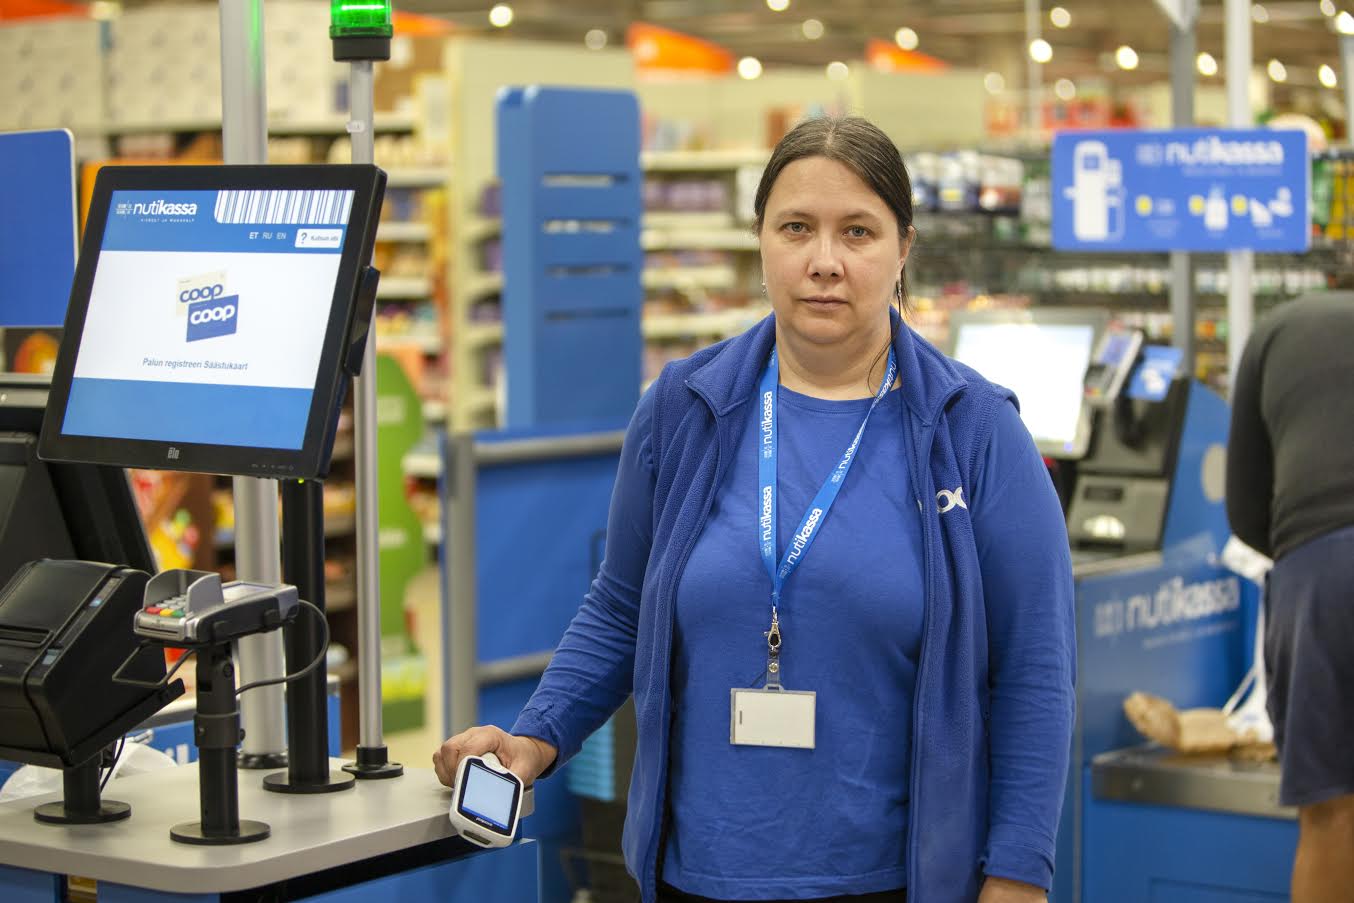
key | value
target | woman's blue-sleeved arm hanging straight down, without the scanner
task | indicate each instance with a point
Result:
(1028, 591)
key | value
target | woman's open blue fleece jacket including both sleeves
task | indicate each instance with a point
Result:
(993, 707)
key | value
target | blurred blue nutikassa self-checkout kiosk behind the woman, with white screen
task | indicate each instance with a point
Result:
(1138, 451)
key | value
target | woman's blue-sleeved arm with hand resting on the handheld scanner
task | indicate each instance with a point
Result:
(592, 671)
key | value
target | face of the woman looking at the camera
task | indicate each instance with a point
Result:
(832, 252)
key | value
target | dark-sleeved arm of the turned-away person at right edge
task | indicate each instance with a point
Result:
(1250, 458)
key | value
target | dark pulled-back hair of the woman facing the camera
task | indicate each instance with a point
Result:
(859, 146)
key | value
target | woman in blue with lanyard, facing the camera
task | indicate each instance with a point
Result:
(897, 668)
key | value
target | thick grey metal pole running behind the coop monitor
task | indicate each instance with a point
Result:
(244, 135)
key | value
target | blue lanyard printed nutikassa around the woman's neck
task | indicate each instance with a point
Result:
(813, 521)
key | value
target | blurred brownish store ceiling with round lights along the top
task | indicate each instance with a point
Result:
(985, 35)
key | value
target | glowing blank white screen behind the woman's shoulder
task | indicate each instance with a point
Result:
(1043, 359)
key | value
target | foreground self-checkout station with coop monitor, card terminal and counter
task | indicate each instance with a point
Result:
(174, 277)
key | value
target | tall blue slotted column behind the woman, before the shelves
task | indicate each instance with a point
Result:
(572, 193)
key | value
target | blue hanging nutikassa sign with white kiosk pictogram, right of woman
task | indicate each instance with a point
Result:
(1181, 190)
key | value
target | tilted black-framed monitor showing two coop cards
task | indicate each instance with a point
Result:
(209, 317)
